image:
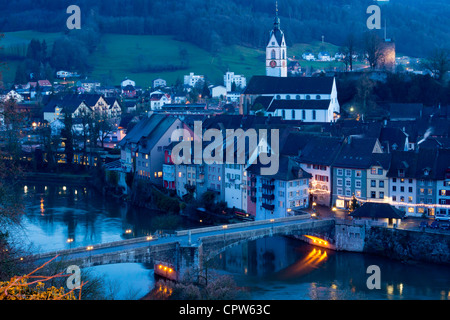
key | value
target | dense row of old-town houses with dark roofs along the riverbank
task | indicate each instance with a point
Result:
(394, 162)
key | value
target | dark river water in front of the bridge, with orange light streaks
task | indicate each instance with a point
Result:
(288, 269)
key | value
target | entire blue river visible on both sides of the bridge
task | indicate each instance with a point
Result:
(269, 268)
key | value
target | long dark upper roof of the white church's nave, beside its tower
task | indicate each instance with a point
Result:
(289, 85)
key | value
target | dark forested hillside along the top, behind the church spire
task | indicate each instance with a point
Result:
(212, 23)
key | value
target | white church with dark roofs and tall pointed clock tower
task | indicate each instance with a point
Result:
(308, 99)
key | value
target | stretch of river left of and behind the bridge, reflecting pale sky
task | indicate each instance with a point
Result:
(63, 216)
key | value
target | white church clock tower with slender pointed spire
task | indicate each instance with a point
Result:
(276, 55)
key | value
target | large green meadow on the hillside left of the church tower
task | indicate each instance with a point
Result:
(123, 55)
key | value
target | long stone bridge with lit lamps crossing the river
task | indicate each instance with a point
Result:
(190, 248)
